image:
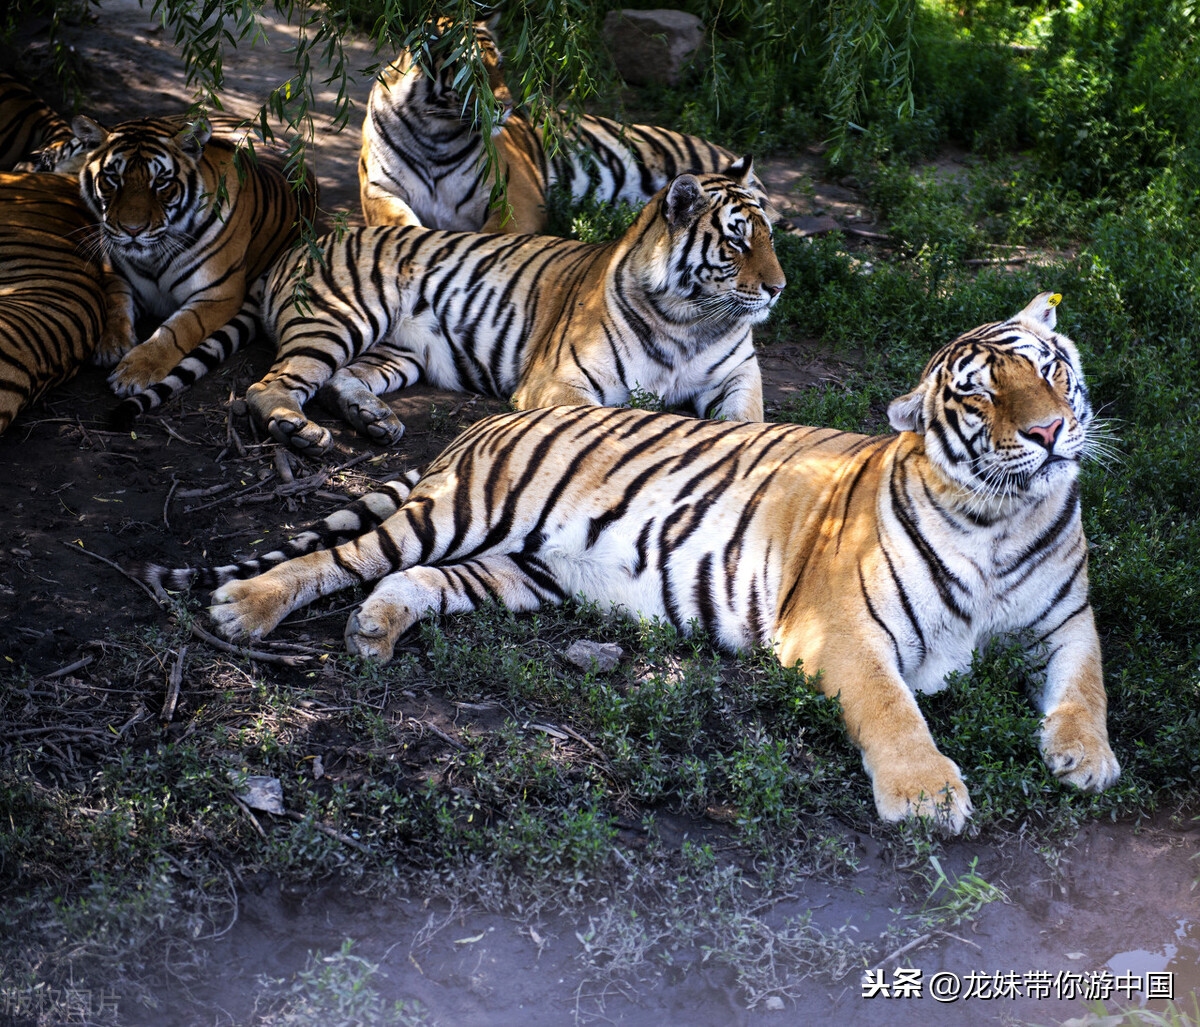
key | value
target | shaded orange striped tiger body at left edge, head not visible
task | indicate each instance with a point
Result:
(58, 307)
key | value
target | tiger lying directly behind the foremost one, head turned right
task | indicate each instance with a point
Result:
(668, 309)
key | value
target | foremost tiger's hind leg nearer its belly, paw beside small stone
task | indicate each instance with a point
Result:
(405, 598)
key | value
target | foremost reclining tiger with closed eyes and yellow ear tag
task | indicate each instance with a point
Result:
(879, 562)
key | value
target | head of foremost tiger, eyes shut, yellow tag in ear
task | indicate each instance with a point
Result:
(1004, 409)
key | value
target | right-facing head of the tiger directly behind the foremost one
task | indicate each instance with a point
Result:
(712, 243)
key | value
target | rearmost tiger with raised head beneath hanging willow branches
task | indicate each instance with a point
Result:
(423, 158)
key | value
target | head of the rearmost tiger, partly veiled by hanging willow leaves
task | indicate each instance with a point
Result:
(440, 81)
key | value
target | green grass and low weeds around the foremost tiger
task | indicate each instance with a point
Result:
(482, 767)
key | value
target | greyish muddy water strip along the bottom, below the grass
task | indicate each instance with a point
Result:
(1119, 918)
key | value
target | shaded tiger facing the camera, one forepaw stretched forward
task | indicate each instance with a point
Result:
(185, 227)
